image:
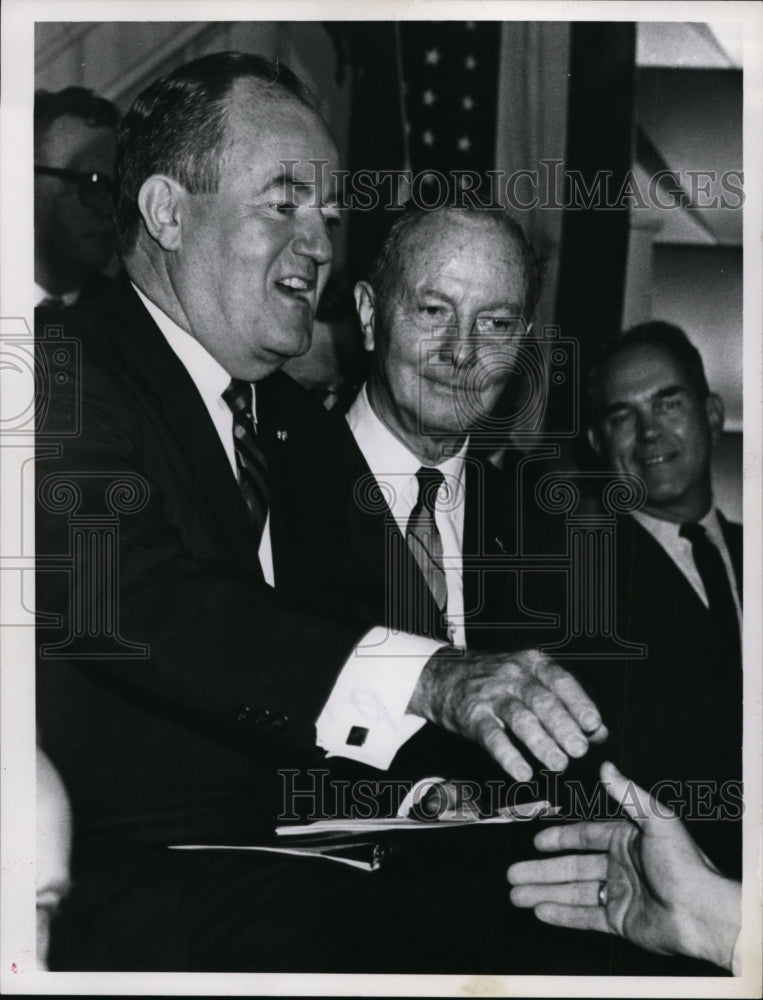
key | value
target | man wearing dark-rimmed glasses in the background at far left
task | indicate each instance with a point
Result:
(74, 148)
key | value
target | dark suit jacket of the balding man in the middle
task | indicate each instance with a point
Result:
(374, 574)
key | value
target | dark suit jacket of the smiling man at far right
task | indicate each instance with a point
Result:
(675, 717)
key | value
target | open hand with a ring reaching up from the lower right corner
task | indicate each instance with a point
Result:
(659, 890)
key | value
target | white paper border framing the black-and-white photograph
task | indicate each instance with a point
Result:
(17, 919)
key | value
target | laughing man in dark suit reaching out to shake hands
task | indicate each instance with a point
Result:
(185, 670)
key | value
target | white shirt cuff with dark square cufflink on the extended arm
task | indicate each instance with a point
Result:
(365, 717)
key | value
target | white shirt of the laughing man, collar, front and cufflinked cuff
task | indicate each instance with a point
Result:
(373, 689)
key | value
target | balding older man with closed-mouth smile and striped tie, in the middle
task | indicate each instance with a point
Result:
(447, 307)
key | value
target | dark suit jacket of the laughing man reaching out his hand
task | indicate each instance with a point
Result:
(181, 742)
